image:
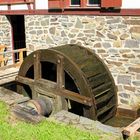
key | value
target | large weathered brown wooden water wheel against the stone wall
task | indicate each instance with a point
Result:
(72, 78)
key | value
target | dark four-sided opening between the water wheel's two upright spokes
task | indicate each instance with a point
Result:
(48, 71)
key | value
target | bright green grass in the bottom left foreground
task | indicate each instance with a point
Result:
(43, 131)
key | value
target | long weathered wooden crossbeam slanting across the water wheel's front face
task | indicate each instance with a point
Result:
(50, 86)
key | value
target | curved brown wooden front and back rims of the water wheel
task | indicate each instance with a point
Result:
(52, 55)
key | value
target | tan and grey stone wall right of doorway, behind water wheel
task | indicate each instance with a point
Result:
(115, 39)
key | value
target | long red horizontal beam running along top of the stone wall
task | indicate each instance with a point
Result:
(87, 11)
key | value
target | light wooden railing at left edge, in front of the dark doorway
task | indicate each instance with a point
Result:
(6, 57)
